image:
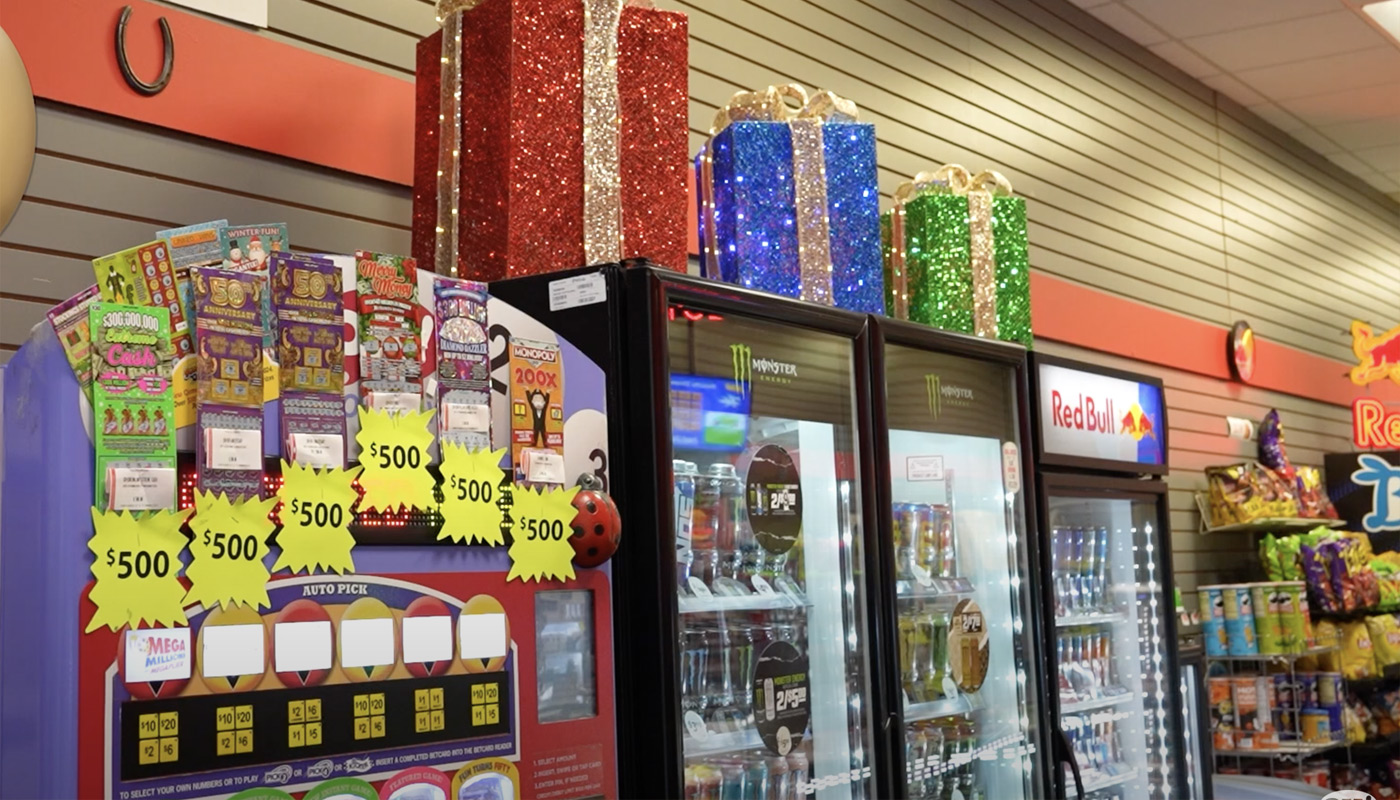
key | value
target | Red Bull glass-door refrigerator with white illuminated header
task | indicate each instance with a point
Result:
(1101, 453)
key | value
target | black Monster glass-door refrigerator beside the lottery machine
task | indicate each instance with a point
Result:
(748, 642)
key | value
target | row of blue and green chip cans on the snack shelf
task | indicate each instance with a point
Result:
(1245, 620)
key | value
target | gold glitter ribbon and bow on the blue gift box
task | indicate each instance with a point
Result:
(808, 172)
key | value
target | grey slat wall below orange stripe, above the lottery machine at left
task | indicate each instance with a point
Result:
(100, 186)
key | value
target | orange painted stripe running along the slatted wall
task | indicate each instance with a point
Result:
(237, 88)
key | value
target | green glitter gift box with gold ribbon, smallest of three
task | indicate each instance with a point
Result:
(957, 257)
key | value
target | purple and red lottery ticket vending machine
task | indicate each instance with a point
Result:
(439, 668)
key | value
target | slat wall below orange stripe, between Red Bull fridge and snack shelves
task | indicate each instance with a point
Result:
(1196, 420)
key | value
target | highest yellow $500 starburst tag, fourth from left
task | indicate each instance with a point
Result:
(394, 452)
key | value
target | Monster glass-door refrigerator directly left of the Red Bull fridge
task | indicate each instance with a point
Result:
(961, 564)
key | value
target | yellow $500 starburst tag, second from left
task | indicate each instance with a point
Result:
(230, 549)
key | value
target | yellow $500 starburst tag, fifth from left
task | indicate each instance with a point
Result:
(477, 494)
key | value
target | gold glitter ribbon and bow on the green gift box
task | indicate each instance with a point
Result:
(979, 190)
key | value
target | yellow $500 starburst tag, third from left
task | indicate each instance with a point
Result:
(316, 519)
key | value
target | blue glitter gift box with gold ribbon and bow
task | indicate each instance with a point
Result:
(789, 200)
